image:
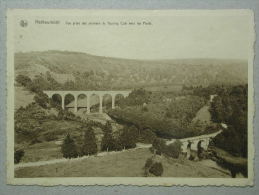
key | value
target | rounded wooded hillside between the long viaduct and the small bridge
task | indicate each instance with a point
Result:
(167, 116)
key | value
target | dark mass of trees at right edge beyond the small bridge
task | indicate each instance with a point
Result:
(230, 107)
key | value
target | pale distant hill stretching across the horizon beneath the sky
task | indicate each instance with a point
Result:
(97, 72)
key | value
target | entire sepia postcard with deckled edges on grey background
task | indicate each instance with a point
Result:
(132, 97)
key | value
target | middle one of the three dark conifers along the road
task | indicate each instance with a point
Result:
(89, 143)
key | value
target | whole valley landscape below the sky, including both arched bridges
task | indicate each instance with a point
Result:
(164, 106)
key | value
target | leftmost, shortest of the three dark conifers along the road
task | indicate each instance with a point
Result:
(68, 147)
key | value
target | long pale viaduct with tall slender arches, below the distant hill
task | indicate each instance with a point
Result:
(88, 94)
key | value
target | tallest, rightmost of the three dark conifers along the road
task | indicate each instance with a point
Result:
(108, 142)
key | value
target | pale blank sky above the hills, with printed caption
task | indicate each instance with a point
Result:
(170, 36)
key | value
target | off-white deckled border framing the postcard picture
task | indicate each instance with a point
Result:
(139, 181)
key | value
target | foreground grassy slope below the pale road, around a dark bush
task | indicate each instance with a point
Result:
(125, 164)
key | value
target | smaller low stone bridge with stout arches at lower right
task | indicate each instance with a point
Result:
(194, 141)
